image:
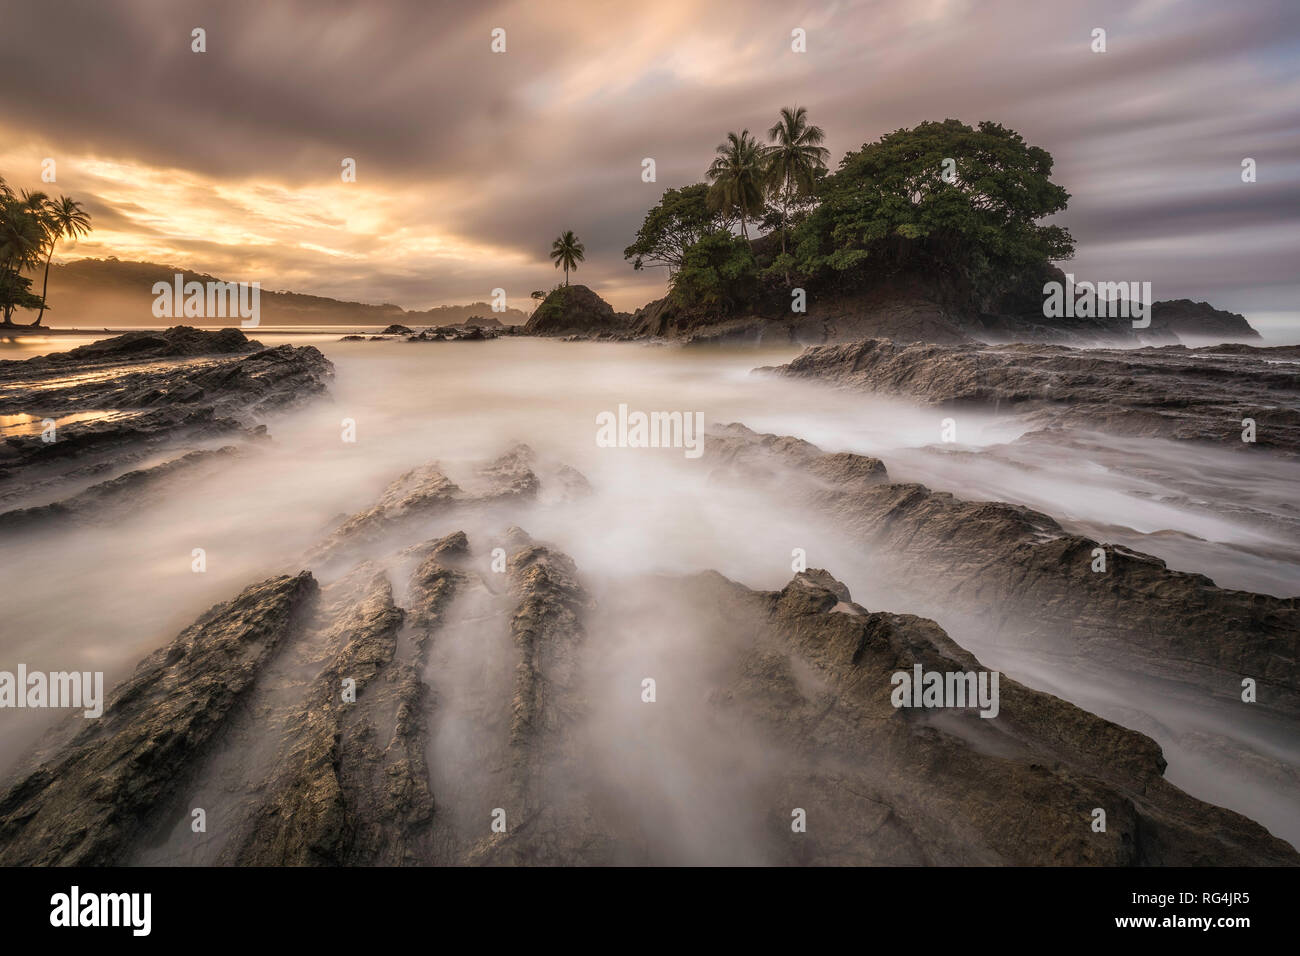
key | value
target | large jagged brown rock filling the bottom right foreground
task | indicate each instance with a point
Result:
(886, 785)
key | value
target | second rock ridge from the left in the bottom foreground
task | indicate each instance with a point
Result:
(352, 786)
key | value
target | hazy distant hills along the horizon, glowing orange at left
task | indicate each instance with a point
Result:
(115, 293)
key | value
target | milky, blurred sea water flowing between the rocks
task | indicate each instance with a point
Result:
(101, 599)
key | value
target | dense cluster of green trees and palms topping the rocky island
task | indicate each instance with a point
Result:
(944, 200)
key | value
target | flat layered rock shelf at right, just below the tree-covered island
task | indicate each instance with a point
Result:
(1190, 395)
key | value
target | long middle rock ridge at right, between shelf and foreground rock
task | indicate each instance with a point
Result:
(1016, 573)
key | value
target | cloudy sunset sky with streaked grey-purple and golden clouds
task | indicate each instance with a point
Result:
(469, 163)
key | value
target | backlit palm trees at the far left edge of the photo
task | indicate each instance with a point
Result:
(31, 227)
